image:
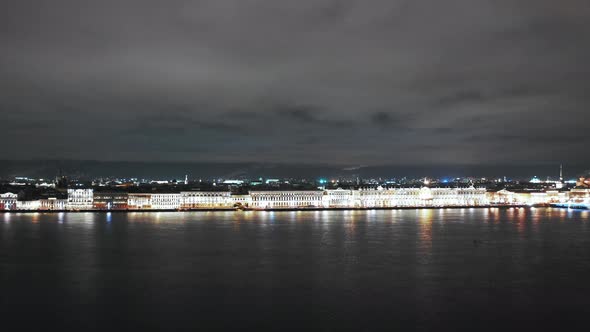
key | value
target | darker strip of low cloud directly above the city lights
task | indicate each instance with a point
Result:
(90, 169)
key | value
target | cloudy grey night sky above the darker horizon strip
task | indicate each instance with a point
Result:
(348, 82)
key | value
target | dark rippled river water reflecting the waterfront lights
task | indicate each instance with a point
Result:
(474, 269)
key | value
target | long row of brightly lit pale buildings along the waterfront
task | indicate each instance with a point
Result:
(361, 198)
